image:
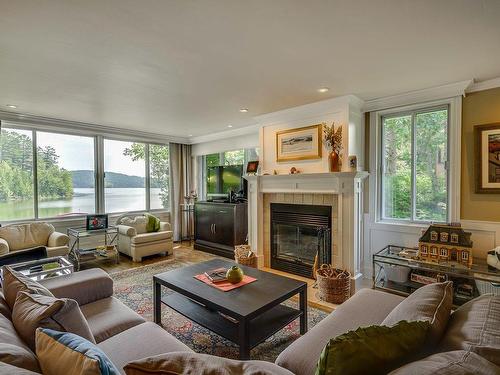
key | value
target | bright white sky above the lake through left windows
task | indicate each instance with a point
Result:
(76, 152)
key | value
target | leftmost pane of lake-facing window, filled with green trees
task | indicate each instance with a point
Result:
(16, 175)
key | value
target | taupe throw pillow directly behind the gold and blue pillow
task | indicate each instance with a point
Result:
(33, 310)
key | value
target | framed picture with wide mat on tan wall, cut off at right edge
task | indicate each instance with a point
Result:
(487, 156)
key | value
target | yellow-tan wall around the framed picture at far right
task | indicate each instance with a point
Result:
(482, 107)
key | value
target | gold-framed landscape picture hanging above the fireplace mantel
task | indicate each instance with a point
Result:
(305, 143)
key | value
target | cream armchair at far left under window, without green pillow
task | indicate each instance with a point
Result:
(17, 237)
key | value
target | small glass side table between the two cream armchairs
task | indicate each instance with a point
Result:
(79, 255)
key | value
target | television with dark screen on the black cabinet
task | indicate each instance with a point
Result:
(222, 179)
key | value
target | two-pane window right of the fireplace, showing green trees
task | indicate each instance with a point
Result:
(414, 177)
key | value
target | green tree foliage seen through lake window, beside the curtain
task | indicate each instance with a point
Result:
(159, 166)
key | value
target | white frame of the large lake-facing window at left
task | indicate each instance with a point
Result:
(98, 141)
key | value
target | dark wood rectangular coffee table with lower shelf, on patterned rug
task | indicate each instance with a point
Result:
(246, 316)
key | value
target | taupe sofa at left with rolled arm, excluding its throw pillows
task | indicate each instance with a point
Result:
(121, 333)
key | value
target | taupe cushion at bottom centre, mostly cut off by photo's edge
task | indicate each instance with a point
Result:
(200, 364)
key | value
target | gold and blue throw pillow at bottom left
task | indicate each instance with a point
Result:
(60, 351)
